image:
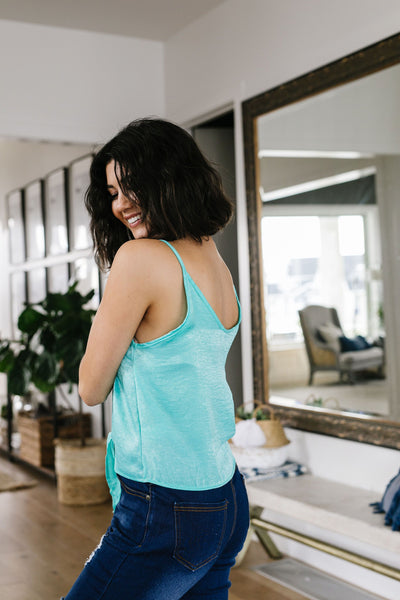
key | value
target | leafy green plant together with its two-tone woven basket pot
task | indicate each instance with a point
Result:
(52, 341)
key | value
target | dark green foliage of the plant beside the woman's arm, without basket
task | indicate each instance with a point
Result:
(51, 343)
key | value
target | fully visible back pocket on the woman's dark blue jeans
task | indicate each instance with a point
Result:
(199, 531)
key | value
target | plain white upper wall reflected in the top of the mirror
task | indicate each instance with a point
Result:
(361, 116)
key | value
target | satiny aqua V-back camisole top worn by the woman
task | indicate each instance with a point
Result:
(173, 412)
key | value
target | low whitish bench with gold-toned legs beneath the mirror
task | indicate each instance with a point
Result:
(328, 516)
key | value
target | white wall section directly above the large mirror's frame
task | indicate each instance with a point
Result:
(243, 48)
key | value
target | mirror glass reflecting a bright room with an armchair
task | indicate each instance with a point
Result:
(328, 180)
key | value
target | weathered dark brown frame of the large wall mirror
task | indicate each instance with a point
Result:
(369, 60)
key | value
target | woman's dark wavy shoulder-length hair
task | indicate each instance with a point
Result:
(159, 165)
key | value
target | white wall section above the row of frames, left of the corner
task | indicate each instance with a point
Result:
(65, 85)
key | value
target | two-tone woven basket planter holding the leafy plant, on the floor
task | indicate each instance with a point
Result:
(81, 472)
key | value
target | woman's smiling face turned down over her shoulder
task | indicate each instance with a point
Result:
(124, 208)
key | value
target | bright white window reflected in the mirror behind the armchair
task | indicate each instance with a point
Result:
(318, 259)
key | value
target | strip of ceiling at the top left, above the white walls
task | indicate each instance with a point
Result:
(149, 19)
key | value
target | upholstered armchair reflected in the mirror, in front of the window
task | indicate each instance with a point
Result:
(326, 356)
